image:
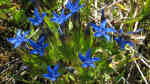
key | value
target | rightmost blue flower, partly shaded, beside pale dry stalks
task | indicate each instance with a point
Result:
(122, 42)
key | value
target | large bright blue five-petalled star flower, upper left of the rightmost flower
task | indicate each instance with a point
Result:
(102, 30)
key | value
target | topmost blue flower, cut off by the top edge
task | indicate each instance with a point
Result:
(73, 7)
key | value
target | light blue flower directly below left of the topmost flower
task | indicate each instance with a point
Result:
(60, 19)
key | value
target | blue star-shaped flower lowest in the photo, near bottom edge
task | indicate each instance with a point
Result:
(52, 73)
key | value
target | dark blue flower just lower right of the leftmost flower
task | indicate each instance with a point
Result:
(39, 46)
